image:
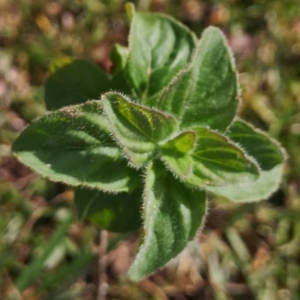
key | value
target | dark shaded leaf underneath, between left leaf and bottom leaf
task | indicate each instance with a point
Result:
(117, 213)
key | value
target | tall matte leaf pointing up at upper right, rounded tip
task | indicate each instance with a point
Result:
(206, 93)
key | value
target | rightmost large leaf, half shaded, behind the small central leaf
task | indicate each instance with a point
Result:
(269, 155)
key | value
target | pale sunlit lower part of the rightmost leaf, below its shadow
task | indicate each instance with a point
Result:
(261, 189)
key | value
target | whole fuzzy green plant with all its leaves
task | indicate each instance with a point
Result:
(148, 153)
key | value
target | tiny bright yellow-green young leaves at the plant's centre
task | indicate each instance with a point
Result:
(176, 153)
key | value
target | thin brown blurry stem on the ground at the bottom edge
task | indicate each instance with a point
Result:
(102, 260)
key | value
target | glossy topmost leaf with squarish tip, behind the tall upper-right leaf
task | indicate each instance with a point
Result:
(159, 47)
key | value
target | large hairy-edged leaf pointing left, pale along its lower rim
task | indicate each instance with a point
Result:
(73, 145)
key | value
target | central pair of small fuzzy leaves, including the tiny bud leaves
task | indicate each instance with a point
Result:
(200, 156)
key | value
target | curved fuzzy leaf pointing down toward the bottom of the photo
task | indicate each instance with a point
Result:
(173, 215)
